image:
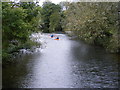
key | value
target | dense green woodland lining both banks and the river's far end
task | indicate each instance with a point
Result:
(95, 23)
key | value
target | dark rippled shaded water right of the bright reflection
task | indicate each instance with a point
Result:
(94, 67)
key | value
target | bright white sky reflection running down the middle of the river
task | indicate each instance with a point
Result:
(52, 68)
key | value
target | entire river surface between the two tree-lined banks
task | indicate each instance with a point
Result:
(64, 63)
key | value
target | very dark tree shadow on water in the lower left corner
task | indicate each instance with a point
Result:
(15, 72)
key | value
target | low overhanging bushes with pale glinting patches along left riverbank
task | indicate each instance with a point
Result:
(15, 48)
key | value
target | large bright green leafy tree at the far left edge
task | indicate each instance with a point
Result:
(14, 26)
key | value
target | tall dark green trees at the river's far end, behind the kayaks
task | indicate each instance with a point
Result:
(51, 17)
